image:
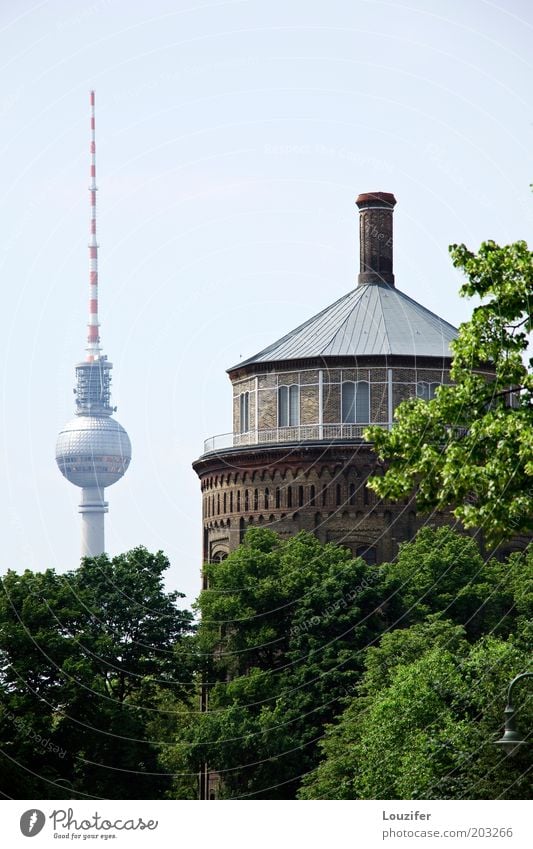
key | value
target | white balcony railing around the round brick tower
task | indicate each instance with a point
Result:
(301, 433)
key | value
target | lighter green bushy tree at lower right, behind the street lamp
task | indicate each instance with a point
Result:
(423, 725)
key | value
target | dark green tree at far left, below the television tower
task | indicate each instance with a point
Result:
(86, 660)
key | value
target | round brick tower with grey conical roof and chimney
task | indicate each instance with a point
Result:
(296, 458)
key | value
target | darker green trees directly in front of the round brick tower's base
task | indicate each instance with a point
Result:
(287, 632)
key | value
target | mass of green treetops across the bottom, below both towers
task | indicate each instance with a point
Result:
(400, 670)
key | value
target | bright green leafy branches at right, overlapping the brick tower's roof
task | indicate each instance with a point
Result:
(471, 447)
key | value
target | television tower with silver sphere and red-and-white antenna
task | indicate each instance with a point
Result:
(93, 450)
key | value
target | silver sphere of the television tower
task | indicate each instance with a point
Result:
(93, 451)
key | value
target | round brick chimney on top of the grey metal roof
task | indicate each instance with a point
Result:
(375, 237)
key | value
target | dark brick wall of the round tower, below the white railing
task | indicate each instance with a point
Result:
(325, 494)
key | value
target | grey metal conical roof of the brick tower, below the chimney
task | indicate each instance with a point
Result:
(372, 319)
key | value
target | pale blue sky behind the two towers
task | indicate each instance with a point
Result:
(233, 138)
